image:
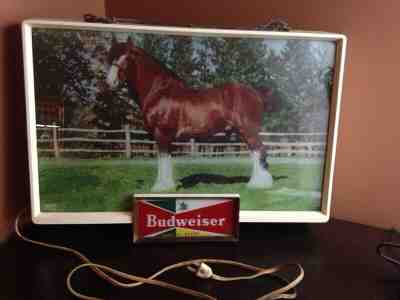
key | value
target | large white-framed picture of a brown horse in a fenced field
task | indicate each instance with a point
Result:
(115, 110)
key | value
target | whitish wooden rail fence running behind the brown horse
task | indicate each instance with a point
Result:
(55, 140)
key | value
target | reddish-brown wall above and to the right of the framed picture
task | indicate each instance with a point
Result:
(367, 170)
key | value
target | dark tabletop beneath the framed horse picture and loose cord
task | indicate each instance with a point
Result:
(339, 259)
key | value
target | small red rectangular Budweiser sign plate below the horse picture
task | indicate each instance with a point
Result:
(186, 217)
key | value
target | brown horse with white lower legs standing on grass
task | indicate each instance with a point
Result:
(172, 111)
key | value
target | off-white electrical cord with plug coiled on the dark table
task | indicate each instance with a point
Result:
(200, 267)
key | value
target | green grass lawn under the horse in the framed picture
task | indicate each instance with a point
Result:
(79, 185)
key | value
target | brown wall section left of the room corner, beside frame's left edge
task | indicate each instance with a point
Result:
(13, 160)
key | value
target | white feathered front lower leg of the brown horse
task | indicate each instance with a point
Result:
(165, 179)
